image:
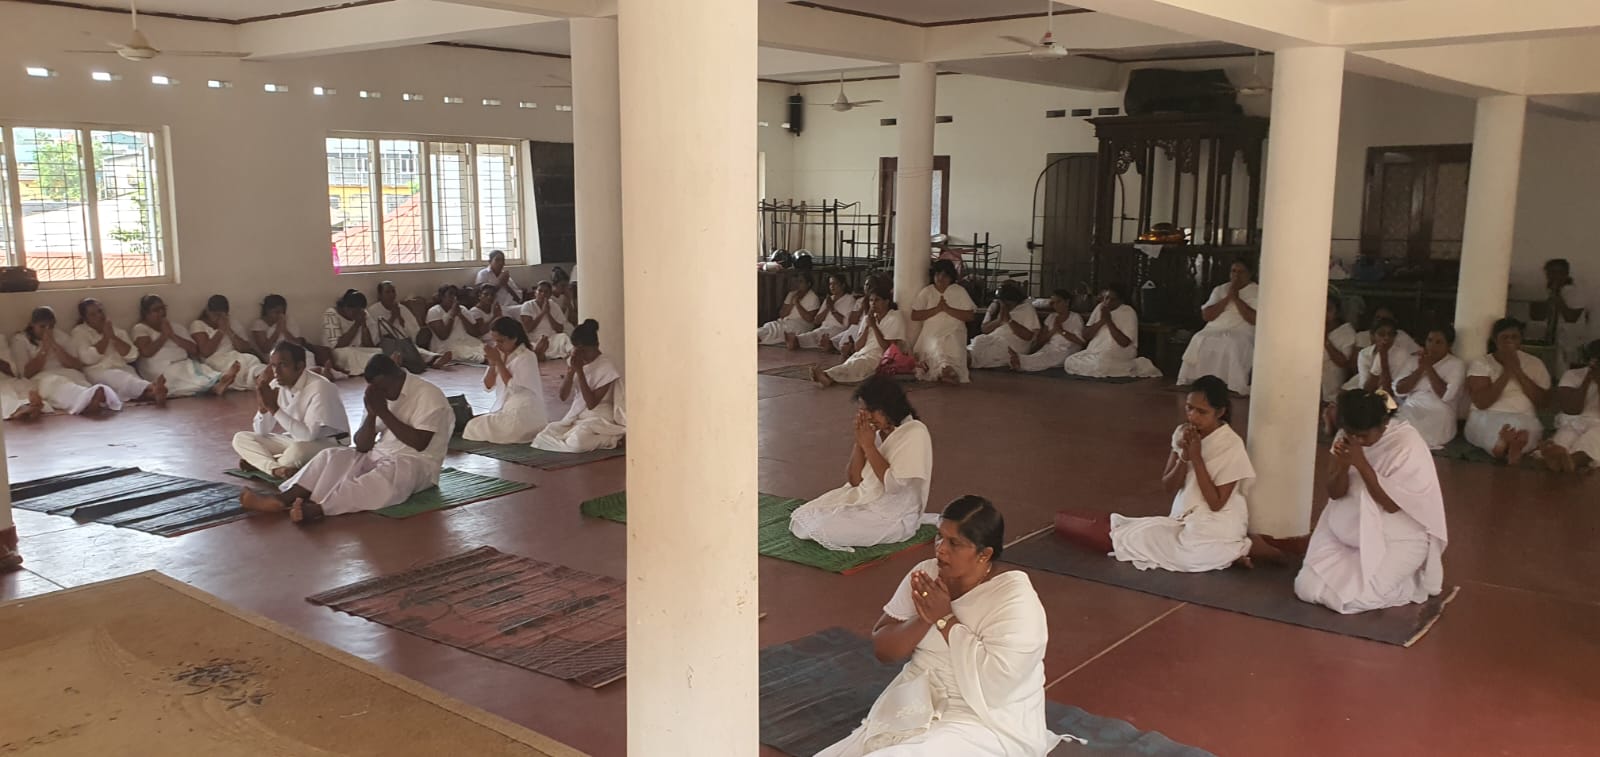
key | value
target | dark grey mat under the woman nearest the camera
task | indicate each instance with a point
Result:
(817, 691)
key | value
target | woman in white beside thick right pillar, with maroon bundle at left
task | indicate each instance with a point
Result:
(1210, 521)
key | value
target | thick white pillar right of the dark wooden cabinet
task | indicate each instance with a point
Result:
(1298, 215)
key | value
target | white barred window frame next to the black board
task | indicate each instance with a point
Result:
(425, 174)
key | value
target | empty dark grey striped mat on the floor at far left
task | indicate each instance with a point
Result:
(132, 499)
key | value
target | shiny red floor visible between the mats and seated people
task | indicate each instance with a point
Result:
(1513, 667)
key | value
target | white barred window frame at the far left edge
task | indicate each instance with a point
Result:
(162, 193)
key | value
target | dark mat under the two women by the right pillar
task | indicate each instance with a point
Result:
(1268, 591)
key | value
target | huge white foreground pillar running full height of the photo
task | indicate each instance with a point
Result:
(689, 164)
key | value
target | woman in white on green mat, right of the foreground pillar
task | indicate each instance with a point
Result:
(887, 481)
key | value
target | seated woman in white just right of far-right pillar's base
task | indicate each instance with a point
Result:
(1508, 387)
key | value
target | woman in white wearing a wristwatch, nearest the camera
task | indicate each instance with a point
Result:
(974, 639)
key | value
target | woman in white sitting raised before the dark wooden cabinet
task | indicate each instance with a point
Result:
(1226, 346)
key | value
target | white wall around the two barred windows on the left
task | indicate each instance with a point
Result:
(249, 169)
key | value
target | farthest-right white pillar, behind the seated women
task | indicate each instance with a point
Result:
(1492, 217)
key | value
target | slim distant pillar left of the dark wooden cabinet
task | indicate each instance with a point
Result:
(914, 180)
